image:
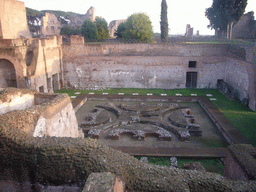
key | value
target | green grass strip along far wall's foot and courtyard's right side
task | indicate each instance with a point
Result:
(240, 116)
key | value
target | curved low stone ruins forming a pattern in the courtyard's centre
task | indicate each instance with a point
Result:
(160, 120)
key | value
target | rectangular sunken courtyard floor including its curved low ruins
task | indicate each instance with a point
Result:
(156, 125)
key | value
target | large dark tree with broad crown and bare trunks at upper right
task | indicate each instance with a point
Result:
(223, 14)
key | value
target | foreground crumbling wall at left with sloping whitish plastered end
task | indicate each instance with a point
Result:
(54, 116)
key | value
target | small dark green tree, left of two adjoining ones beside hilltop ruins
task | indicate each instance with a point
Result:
(89, 30)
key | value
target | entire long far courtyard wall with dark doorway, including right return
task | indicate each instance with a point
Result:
(167, 66)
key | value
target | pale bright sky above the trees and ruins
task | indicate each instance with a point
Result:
(180, 13)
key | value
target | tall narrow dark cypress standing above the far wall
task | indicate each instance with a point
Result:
(164, 21)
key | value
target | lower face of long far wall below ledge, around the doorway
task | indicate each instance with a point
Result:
(141, 72)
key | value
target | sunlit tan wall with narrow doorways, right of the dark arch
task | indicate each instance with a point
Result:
(45, 72)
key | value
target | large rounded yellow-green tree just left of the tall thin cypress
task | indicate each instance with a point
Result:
(138, 26)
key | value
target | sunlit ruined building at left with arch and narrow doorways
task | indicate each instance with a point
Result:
(32, 63)
